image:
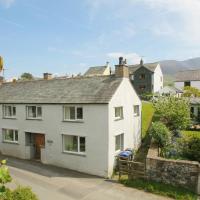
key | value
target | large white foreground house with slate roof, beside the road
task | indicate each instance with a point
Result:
(78, 123)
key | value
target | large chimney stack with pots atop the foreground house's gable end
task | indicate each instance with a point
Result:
(121, 70)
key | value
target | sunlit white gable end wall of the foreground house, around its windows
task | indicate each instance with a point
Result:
(130, 125)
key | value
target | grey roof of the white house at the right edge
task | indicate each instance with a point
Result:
(188, 75)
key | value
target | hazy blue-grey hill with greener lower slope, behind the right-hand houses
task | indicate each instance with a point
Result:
(171, 67)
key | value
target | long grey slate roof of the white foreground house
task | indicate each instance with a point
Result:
(56, 91)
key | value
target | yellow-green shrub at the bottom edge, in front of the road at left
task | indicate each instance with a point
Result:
(24, 193)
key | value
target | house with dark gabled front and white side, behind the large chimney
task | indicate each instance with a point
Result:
(146, 78)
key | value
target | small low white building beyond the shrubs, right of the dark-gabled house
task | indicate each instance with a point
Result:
(170, 91)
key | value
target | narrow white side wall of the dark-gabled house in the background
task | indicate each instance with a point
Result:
(157, 82)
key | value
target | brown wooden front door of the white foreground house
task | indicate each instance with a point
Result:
(39, 143)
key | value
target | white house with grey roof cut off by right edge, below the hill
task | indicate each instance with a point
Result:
(188, 78)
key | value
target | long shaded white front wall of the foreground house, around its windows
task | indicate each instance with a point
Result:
(94, 128)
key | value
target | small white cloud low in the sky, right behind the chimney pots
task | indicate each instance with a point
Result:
(132, 58)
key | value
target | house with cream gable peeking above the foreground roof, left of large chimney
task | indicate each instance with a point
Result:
(99, 70)
